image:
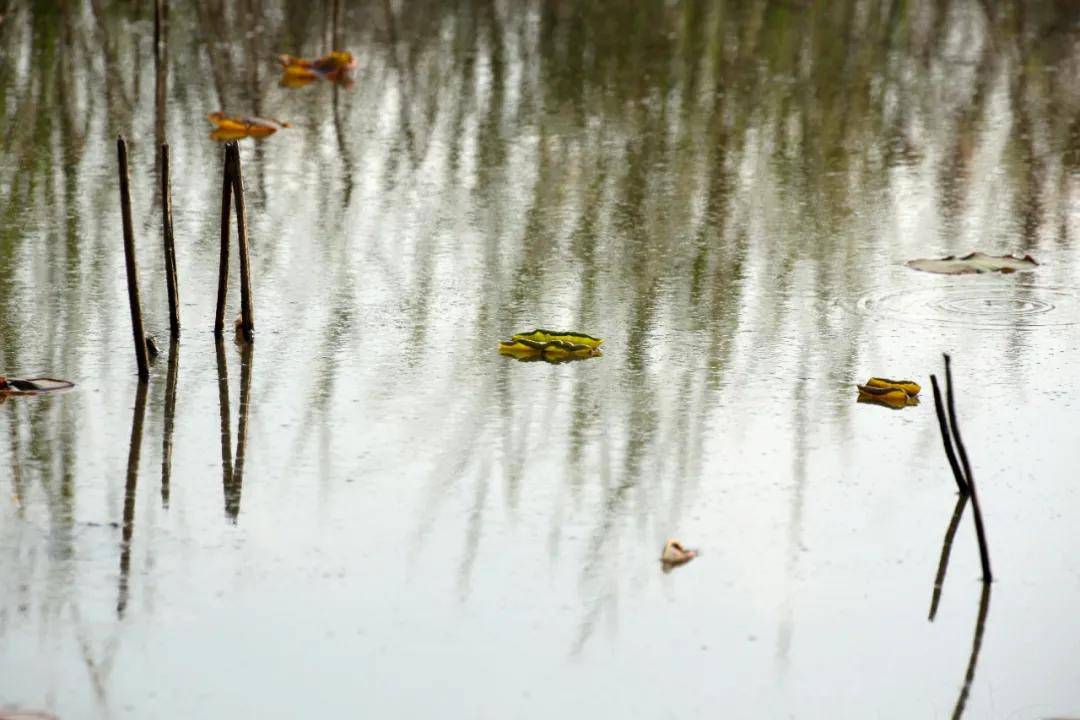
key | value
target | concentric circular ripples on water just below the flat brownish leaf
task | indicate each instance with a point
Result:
(1010, 306)
